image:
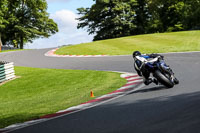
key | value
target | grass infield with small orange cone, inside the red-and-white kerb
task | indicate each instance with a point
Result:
(43, 91)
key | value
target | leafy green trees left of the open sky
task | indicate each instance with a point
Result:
(22, 21)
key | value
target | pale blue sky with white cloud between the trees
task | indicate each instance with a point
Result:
(64, 13)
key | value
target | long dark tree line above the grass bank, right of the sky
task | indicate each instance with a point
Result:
(117, 18)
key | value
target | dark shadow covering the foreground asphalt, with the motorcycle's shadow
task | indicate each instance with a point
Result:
(131, 114)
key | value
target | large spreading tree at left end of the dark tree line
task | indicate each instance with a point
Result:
(108, 18)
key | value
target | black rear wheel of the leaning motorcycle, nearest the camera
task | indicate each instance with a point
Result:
(163, 79)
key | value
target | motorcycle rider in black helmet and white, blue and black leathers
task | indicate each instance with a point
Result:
(139, 65)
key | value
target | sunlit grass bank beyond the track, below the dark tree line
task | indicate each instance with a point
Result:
(149, 43)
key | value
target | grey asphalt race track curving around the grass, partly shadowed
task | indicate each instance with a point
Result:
(153, 109)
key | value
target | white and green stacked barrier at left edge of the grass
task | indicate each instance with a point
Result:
(7, 71)
